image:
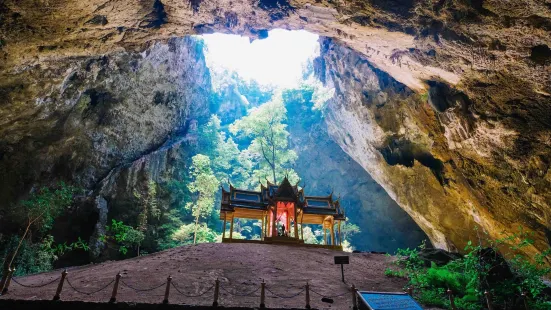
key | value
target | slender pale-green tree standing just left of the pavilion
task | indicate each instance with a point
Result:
(203, 187)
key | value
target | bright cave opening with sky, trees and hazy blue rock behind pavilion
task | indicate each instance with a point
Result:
(274, 78)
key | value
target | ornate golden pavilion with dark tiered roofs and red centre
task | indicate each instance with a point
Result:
(283, 211)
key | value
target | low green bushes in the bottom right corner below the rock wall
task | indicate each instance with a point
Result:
(467, 277)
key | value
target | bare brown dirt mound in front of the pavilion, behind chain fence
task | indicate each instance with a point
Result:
(239, 267)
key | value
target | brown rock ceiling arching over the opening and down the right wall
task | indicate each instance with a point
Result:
(447, 104)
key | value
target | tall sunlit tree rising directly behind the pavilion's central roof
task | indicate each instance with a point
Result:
(269, 149)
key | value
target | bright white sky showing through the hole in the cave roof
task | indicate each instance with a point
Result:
(275, 61)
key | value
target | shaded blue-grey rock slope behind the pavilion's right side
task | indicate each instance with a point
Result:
(325, 168)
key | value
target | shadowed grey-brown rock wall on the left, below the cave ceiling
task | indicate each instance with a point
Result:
(107, 124)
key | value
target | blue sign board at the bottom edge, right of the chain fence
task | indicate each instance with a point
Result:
(389, 301)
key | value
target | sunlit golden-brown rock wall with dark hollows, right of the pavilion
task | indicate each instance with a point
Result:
(450, 166)
